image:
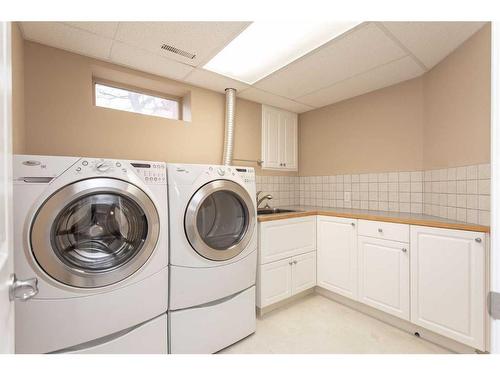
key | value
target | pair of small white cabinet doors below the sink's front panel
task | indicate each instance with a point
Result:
(284, 278)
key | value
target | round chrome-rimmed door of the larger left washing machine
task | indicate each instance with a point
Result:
(94, 232)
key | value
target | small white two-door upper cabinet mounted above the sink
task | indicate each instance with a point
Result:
(279, 139)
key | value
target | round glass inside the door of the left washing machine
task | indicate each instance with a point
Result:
(99, 232)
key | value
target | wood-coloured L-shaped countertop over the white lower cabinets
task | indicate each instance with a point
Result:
(392, 217)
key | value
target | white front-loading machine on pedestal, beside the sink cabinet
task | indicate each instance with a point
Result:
(213, 256)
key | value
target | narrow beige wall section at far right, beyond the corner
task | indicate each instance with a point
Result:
(457, 106)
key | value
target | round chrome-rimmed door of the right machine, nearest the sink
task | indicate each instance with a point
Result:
(220, 220)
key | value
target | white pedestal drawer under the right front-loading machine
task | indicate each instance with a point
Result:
(214, 326)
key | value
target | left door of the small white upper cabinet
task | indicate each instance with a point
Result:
(271, 154)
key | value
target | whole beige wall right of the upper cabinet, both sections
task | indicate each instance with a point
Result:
(441, 119)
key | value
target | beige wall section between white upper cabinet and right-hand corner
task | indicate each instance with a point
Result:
(375, 132)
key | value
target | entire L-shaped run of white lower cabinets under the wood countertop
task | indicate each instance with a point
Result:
(433, 277)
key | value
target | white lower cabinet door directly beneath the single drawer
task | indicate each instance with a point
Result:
(384, 275)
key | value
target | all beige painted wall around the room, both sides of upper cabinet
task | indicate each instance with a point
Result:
(438, 120)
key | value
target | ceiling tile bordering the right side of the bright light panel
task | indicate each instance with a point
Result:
(353, 53)
